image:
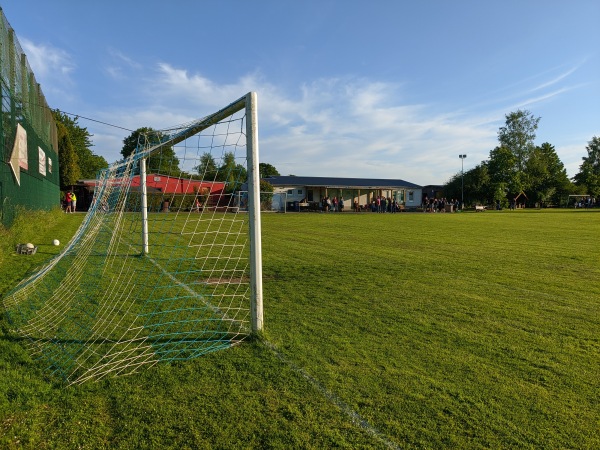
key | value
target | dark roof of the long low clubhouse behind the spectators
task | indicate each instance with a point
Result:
(346, 183)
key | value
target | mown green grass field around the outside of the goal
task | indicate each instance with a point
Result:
(468, 330)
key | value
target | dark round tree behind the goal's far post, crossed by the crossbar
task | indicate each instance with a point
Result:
(164, 161)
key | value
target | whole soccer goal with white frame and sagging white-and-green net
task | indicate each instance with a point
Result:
(165, 266)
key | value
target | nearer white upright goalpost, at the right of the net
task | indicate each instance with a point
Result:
(256, 293)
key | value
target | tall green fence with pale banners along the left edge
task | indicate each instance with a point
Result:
(29, 173)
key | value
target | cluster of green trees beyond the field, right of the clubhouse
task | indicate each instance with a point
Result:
(519, 168)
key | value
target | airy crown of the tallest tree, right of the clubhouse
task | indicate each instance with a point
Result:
(518, 135)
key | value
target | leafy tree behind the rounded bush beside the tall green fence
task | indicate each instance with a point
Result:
(89, 163)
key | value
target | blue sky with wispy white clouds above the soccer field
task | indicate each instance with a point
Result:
(390, 89)
